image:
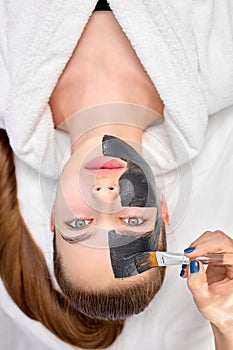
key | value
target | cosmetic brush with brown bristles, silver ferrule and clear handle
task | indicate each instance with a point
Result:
(147, 260)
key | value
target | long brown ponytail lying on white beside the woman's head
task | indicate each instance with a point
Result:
(26, 277)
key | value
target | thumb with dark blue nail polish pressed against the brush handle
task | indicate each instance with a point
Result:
(197, 283)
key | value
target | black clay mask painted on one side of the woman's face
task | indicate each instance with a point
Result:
(137, 189)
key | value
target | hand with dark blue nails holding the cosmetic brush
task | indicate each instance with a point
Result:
(213, 289)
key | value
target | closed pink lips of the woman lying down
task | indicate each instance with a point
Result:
(105, 165)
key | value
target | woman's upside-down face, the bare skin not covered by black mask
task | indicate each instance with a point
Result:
(88, 206)
